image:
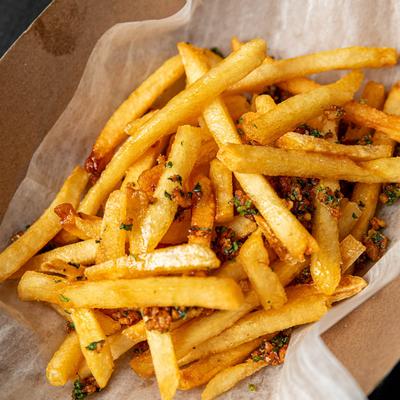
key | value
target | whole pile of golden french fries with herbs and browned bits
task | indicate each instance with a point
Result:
(183, 247)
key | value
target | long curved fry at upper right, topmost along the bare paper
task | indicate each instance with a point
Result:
(345, 58)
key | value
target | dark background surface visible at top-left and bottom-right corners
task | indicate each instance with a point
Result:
(15, 18)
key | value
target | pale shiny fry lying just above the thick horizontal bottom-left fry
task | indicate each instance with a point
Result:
(167, 261)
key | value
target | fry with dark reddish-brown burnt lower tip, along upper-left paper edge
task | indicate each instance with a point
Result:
(132, 108)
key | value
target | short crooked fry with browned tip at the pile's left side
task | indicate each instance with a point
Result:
(82, 226)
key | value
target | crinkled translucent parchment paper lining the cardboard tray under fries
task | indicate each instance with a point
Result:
(123, 57)
